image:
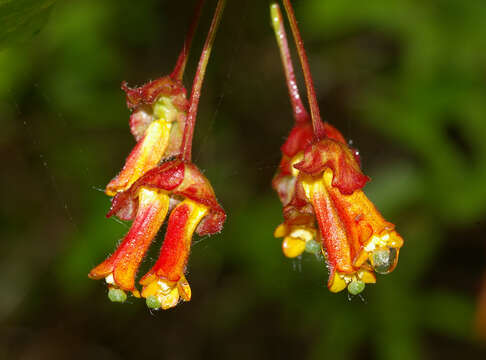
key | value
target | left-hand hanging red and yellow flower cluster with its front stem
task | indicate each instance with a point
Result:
(151, 185)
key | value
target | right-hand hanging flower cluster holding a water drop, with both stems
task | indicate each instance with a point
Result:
(319, 181)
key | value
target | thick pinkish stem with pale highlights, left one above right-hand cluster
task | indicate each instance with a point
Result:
(300, 113)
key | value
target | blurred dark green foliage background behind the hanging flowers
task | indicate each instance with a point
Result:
(404, 80)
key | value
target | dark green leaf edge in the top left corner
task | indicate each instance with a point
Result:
(21, 19)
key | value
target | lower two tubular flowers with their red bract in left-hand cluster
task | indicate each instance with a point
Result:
(177, 185)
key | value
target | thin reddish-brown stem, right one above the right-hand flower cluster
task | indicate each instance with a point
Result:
(309, 84)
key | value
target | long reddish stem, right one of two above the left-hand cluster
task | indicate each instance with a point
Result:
(186, 146)
